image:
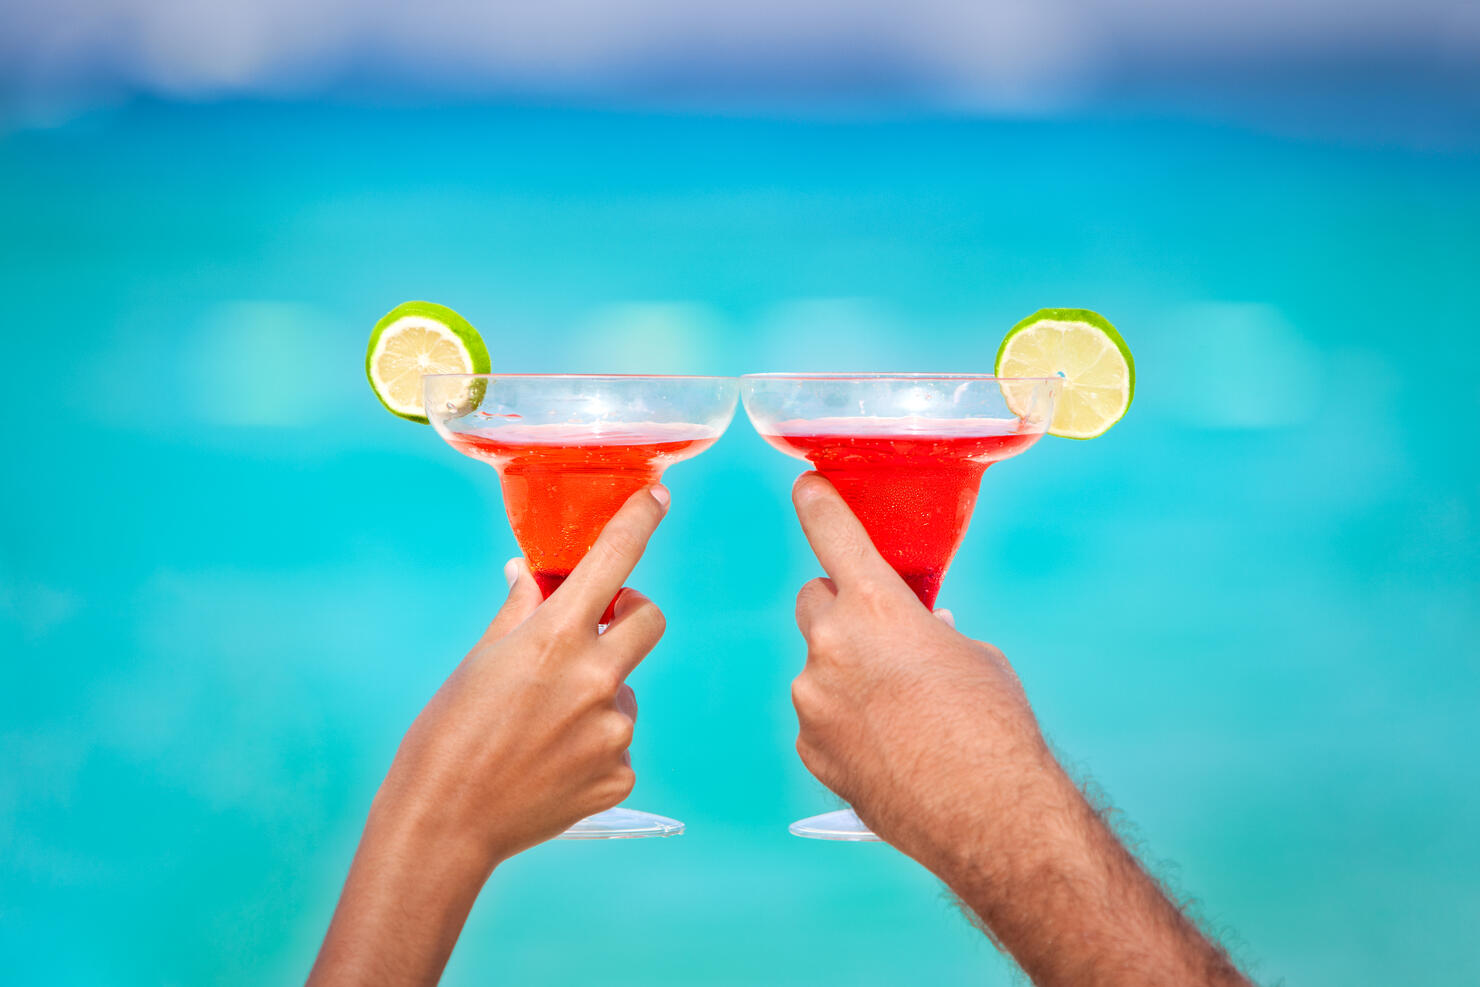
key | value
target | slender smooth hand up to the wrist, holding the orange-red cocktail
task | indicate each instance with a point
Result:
(531, 733)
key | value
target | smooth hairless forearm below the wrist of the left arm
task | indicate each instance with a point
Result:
(405, 903)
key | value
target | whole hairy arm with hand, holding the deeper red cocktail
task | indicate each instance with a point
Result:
(930, 738)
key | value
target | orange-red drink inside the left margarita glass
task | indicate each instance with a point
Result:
(562, 485)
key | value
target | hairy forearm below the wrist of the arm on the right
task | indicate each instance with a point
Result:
(1068, 900)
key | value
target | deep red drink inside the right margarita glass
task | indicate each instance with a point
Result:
(912, 492)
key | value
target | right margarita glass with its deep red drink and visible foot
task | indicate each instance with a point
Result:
(906, 452)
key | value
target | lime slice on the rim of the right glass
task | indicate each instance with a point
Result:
(1083, 348)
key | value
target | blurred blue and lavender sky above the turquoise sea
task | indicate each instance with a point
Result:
(1368, 67)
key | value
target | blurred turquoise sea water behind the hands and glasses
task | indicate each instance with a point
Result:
(229, 579)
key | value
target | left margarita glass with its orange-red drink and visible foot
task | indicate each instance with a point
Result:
(571, 449)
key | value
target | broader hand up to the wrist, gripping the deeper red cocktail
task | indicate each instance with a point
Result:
(921, 729)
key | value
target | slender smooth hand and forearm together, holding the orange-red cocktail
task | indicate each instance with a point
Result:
(529, 736)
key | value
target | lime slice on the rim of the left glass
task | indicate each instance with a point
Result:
(415, 340)
